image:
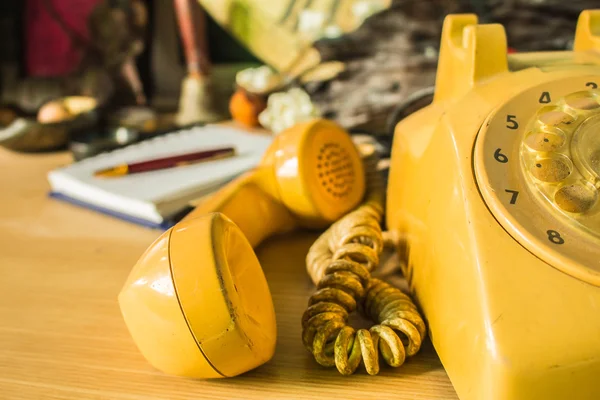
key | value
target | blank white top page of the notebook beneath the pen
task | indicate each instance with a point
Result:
(165, 185)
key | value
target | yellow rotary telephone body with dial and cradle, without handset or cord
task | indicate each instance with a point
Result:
(493, 192)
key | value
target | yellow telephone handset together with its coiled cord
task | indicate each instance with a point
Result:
(197, 303)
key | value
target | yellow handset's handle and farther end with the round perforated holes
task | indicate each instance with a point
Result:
(310, 176)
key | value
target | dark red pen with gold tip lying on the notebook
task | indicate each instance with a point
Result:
(166, 162)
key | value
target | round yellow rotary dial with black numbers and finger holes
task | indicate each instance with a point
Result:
(537, 165)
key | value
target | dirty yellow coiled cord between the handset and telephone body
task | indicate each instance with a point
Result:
(340, 264)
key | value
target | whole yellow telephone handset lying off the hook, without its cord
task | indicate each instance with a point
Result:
(197, 303)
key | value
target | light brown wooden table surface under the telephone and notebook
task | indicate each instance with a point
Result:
(62, 335)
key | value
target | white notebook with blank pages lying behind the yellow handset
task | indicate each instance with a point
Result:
(157, 198)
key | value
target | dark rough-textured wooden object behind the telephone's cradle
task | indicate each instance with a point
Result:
(394, 53)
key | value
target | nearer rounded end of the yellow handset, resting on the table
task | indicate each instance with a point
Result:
(197, 303)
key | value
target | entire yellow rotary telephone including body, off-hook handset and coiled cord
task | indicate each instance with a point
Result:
(492, 199)
